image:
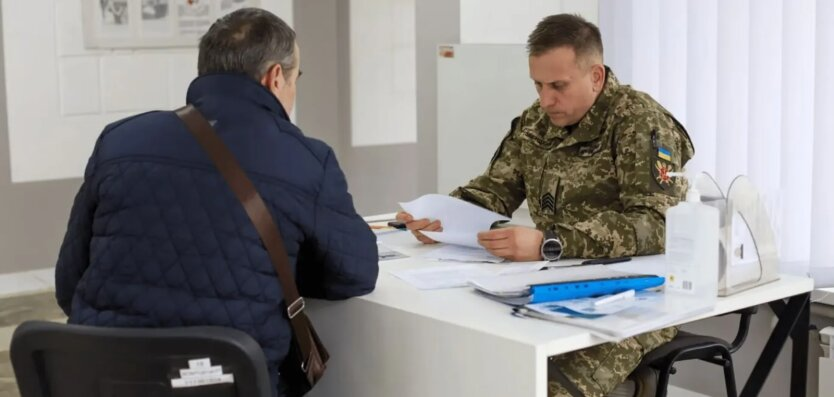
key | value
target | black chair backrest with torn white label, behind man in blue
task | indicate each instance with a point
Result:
(58, 360)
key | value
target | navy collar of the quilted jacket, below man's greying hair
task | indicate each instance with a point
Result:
(237, 86)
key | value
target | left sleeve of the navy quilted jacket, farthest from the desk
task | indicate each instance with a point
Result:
(74, 255)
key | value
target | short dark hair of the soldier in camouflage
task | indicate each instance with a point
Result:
(566, 30)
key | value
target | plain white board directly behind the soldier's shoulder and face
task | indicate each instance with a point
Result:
(481, 87)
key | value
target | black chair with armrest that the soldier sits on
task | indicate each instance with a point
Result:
(688, 346)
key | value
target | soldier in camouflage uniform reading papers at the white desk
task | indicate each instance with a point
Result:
(592, 158)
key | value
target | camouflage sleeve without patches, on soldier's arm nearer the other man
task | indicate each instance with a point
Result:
(501, 187)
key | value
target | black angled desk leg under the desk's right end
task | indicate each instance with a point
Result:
(794, 320)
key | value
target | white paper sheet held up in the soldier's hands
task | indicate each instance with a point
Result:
(461, 221)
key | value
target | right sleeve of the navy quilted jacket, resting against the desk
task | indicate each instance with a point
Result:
(340, 260)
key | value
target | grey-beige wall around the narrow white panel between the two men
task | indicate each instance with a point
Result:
(378, 176)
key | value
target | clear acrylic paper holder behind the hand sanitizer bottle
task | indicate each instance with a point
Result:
(747, 255)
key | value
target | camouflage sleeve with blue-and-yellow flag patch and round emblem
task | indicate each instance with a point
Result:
(647, 148)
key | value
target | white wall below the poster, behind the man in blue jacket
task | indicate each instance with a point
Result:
(60, 95)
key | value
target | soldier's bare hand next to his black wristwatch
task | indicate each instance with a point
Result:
(517, 244)
